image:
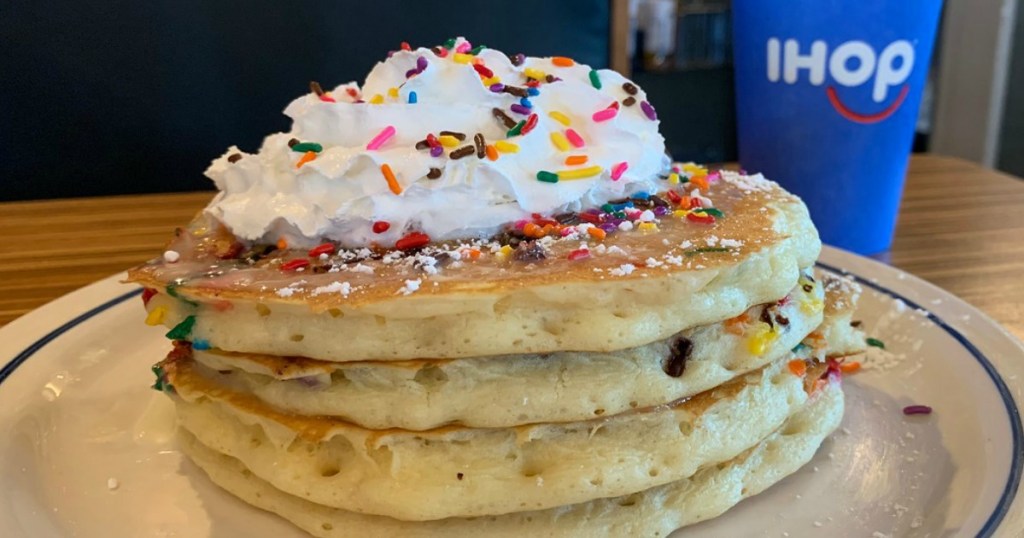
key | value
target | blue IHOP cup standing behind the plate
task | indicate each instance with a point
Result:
(828, 94)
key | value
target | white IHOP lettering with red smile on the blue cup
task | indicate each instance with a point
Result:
(851, 65)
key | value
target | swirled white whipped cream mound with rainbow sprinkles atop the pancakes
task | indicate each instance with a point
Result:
(347, 182)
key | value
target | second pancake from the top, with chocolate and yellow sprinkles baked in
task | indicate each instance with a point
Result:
(506, 391)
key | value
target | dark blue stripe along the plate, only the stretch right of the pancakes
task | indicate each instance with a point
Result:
(1013, 413)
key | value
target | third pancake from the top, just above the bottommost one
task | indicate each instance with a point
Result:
(415, 476)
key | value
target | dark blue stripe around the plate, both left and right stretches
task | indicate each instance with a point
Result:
(1013, 415)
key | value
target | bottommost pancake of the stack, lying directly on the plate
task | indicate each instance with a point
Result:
(657, 512)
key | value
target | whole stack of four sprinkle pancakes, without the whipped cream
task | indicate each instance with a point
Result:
(655, 384)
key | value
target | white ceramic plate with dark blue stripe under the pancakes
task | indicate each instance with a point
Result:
(88, 447)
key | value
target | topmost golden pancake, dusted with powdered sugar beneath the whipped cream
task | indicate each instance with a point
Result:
(471, 300)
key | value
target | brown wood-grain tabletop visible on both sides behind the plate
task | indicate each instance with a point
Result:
(961, 227)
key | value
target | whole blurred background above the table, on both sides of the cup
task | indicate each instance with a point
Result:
(140, 97)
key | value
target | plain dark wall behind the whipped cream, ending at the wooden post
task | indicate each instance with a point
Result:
(136, 97)
